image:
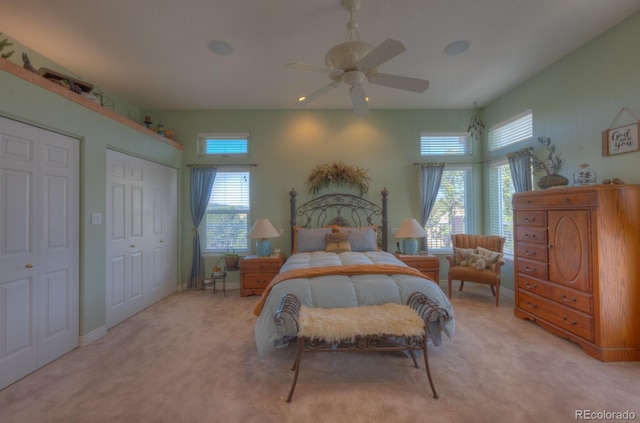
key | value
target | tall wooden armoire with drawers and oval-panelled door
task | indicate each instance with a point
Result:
(577, 266)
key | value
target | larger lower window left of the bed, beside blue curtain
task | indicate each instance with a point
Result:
(226, 222)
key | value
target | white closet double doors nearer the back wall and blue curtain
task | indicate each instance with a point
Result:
(141, 227)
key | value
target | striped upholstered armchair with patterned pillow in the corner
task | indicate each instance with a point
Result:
(477, 258)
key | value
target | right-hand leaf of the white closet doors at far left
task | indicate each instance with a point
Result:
(58, 246)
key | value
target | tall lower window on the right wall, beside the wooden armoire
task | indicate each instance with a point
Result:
(500, 213)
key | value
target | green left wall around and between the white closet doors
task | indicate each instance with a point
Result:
(28, 103)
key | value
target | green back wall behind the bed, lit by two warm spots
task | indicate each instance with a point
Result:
(286, 145)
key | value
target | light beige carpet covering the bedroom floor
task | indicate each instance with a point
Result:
(192, 358)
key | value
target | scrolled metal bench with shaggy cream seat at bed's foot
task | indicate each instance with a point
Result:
(385, 327)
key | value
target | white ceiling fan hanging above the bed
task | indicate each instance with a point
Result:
(354, 62)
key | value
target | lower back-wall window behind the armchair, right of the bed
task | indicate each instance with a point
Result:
(451, 213)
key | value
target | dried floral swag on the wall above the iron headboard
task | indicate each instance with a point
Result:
(322, 176)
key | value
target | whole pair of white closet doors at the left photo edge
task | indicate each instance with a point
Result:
(38, 248)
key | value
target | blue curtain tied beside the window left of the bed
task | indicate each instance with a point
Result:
(201, 183)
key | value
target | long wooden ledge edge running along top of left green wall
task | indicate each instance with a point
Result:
(50, 86)
